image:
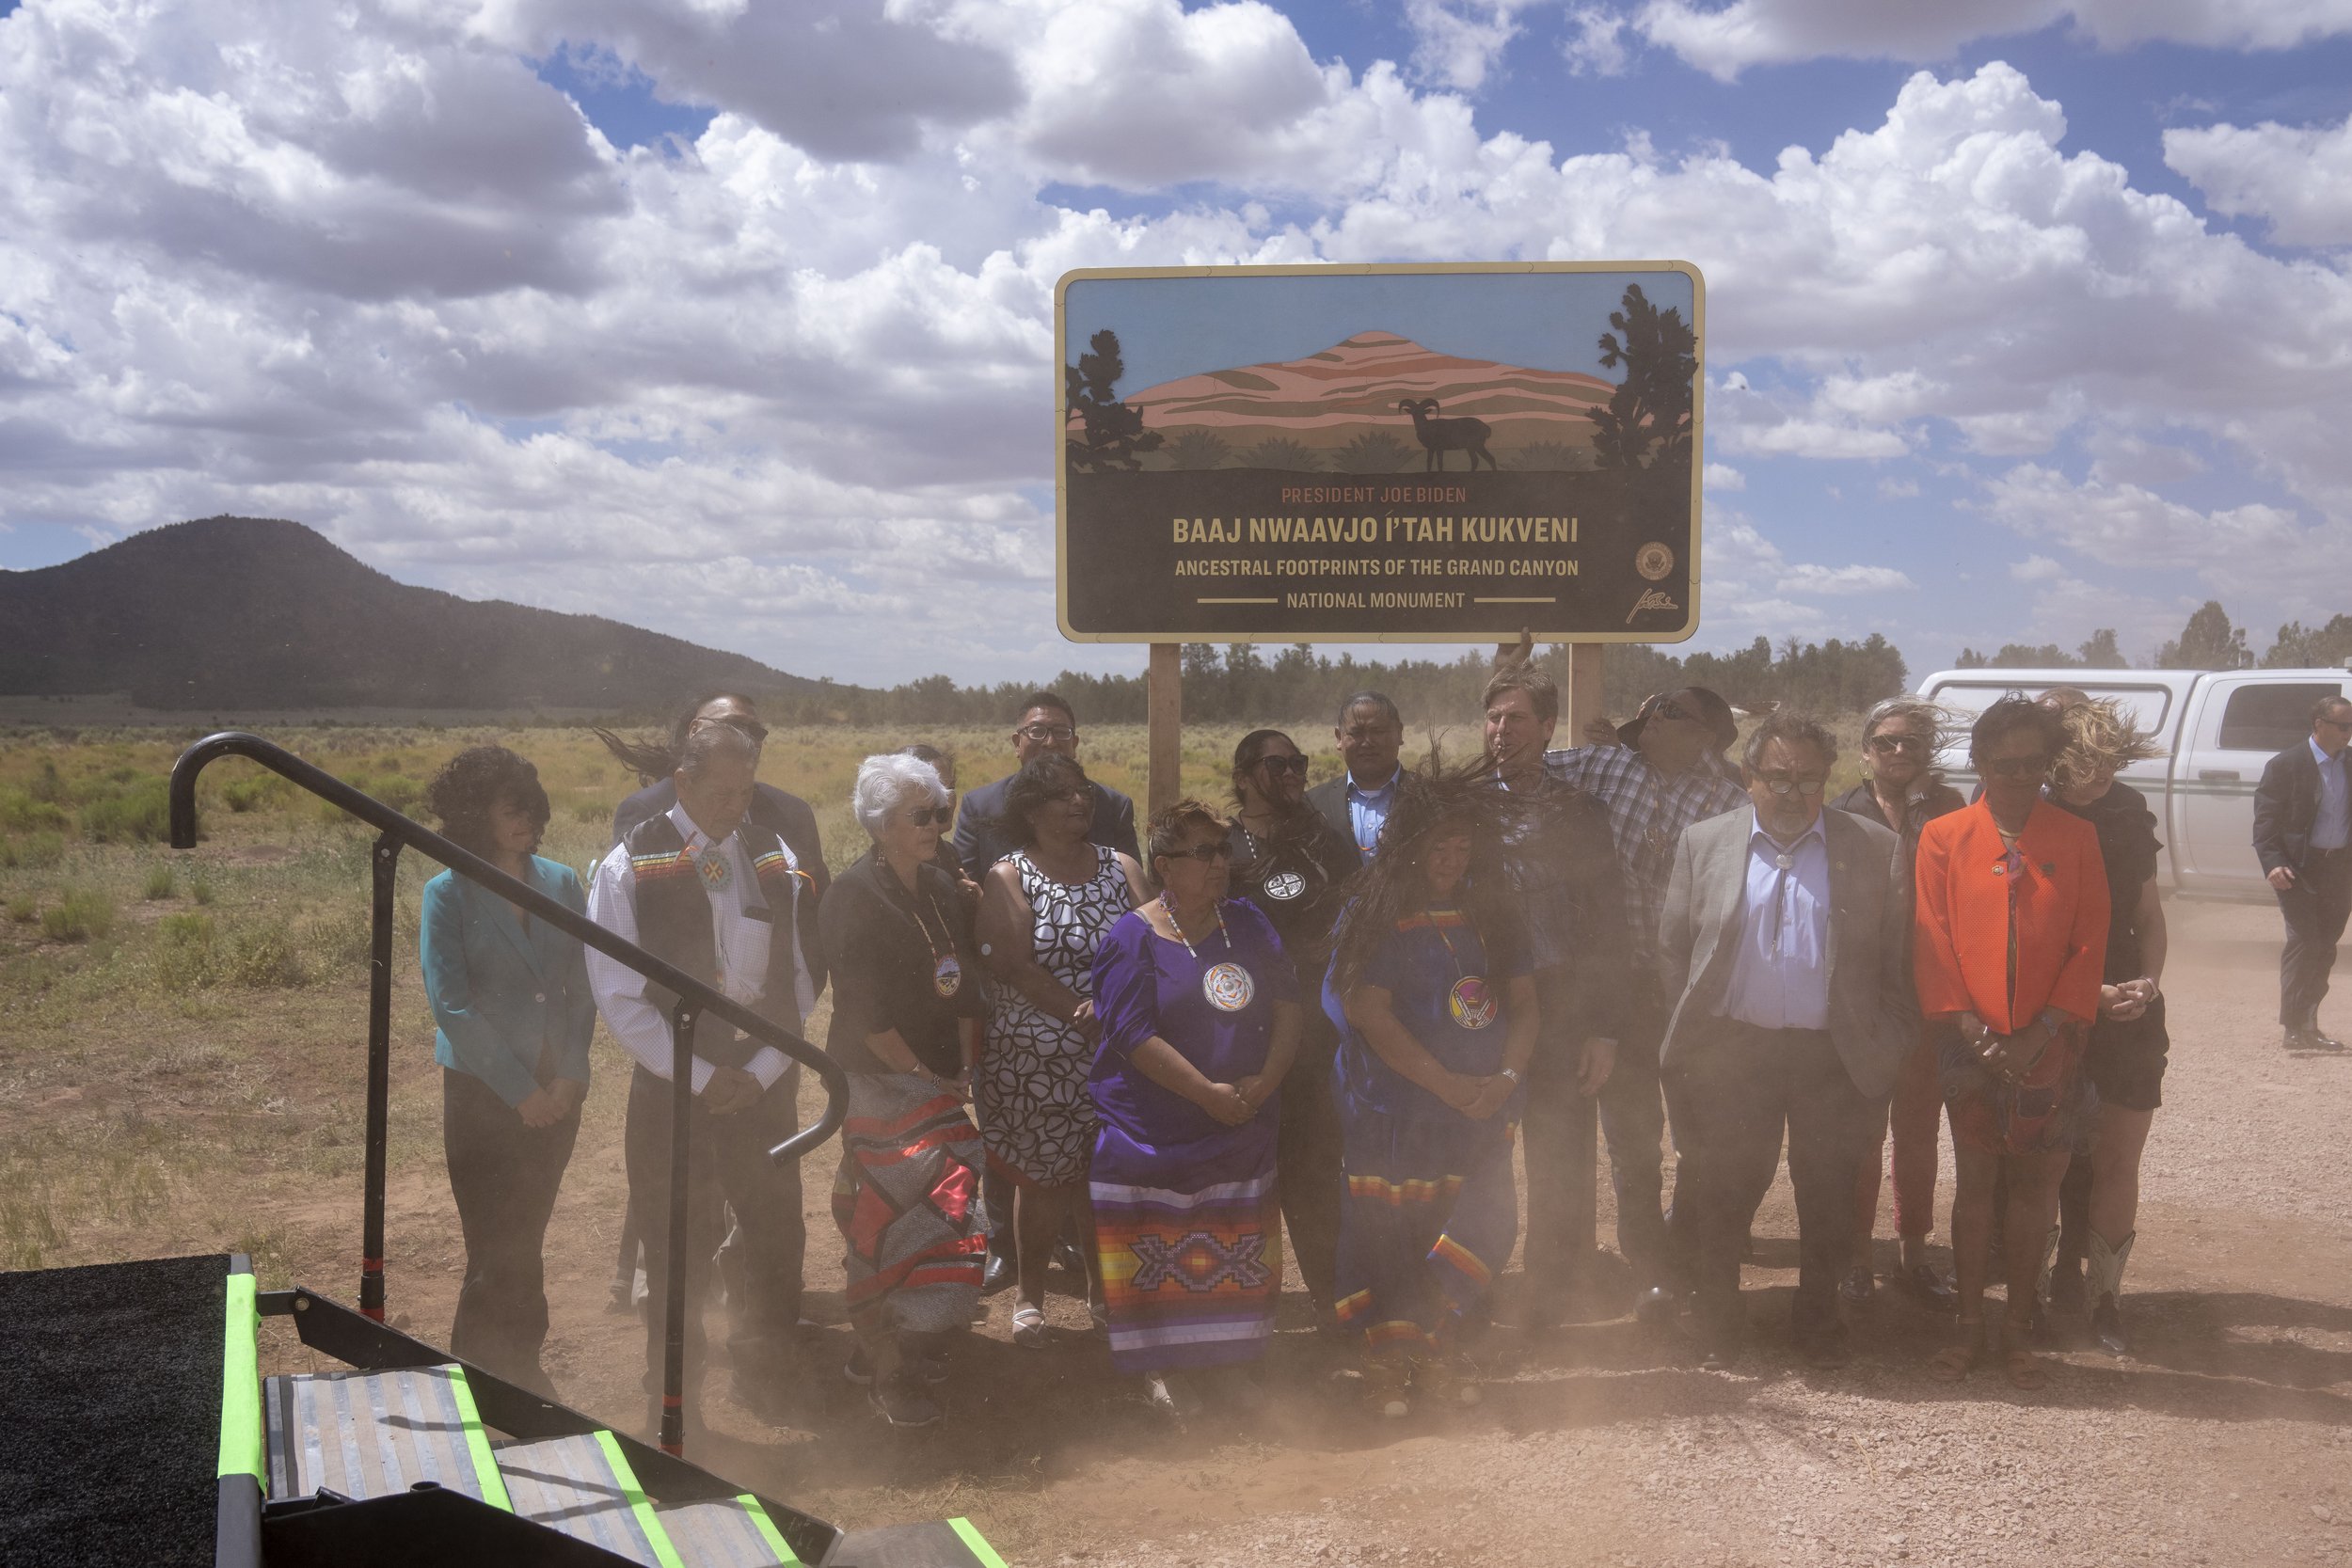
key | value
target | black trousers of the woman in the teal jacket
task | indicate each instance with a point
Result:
(505, 1181)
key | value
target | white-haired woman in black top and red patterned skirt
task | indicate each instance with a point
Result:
(907, 1007)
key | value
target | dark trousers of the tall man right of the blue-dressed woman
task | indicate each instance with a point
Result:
(1561, 1127)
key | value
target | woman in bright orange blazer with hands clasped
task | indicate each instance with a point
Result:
(2007, 956)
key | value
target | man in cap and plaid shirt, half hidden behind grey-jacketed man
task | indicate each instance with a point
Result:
(1664, 775)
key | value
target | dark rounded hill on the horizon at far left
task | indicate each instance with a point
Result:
(258, 612)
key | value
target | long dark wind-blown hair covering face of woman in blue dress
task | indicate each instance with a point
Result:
(1434, 803)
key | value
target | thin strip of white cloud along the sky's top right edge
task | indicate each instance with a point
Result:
(1732, 39)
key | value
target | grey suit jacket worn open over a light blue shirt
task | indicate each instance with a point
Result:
(1873, 1019)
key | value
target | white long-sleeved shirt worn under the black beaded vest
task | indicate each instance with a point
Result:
(742, 946)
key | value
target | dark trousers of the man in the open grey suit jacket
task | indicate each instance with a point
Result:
(1737, 1094)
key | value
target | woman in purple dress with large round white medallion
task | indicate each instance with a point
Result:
(1201, 1021)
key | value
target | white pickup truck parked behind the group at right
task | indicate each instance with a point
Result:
(2219, 728)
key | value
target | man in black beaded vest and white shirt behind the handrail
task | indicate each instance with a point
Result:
(723, 899)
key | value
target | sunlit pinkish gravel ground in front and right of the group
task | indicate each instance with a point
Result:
(2226, 1442)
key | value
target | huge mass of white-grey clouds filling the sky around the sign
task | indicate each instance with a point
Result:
(363, 267)
